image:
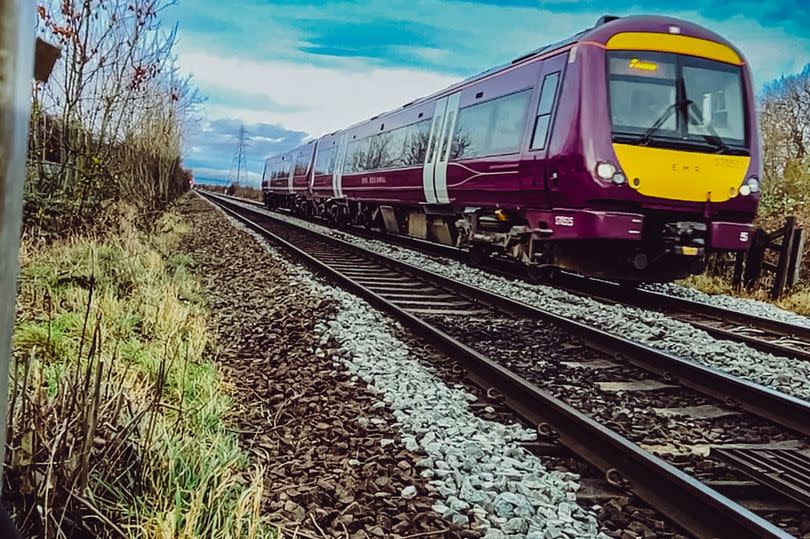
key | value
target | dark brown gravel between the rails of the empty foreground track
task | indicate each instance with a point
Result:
(541, 356)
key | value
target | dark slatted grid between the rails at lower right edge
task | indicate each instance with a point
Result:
(786, 471)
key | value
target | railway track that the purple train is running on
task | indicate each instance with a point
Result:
(763, 334)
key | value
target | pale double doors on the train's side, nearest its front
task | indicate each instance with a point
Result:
(434, 171)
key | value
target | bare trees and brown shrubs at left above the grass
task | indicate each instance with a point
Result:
(108, 126)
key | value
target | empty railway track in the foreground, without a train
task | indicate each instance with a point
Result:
(772, 479)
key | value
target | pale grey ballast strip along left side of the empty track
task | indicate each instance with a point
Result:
(371, 350)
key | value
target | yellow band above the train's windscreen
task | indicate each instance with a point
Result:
(693, 46)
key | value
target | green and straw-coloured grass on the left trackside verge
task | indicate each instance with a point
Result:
(119, 419)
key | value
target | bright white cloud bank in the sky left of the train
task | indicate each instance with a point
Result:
(329, 98)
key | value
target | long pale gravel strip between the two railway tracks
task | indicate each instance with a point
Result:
(648, 327)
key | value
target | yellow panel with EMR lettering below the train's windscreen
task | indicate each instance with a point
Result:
(678, 175)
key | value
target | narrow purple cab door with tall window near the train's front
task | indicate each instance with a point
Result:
(550, 81)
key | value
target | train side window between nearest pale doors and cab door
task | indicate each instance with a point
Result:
(490, 128)
